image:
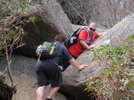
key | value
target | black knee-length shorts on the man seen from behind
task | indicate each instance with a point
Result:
(48, 72)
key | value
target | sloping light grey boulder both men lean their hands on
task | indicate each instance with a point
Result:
(74, 80)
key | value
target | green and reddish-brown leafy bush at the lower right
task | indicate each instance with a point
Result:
(116, 78)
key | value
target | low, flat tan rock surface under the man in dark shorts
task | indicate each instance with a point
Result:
(24, 76)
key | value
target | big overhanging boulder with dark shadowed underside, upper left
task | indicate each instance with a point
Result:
(51, 21)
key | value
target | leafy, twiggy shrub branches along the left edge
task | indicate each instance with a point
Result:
(13, 17)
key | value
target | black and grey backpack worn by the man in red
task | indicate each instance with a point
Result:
(73, 37)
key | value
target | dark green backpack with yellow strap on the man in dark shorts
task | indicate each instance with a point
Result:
(47, 50)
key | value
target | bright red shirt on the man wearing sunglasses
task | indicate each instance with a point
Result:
(77, 48)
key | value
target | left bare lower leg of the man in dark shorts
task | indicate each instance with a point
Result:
(40, 92)
